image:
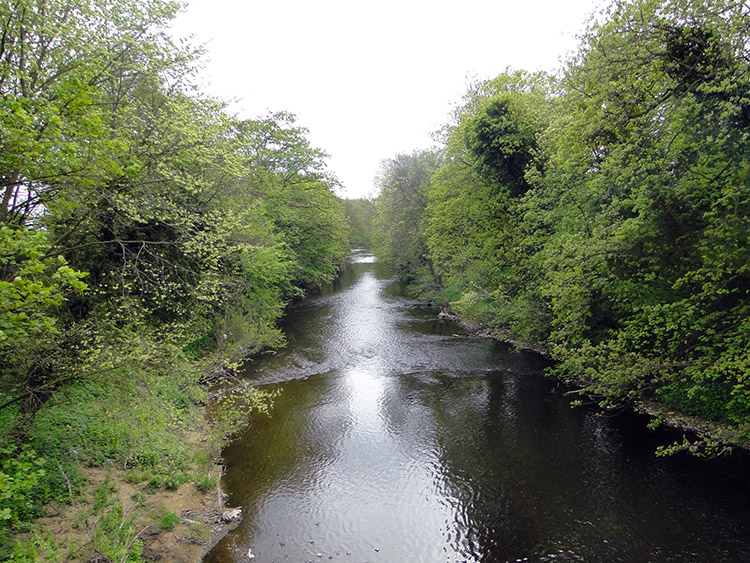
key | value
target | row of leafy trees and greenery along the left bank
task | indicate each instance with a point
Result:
(145, 234)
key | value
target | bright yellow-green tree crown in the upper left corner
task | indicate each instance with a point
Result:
(51, 81)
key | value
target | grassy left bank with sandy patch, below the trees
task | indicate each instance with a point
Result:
(112, 465)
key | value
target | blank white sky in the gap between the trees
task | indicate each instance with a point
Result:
(371, 79)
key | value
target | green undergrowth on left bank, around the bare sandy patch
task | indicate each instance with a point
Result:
(147, 421)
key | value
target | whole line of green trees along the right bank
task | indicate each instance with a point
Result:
(603, 215)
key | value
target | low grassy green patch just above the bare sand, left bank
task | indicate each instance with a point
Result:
(132, 419)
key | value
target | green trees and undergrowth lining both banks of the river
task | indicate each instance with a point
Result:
(150, 240)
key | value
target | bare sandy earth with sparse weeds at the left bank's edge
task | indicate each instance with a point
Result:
(117, 517)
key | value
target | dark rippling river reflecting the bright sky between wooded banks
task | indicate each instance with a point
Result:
(397, 439)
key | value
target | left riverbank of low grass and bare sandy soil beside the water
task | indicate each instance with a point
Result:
(148, 489)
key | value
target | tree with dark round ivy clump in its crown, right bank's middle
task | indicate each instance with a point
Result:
(473, 227)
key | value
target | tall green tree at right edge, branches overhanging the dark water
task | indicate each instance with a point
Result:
(646, 269)
